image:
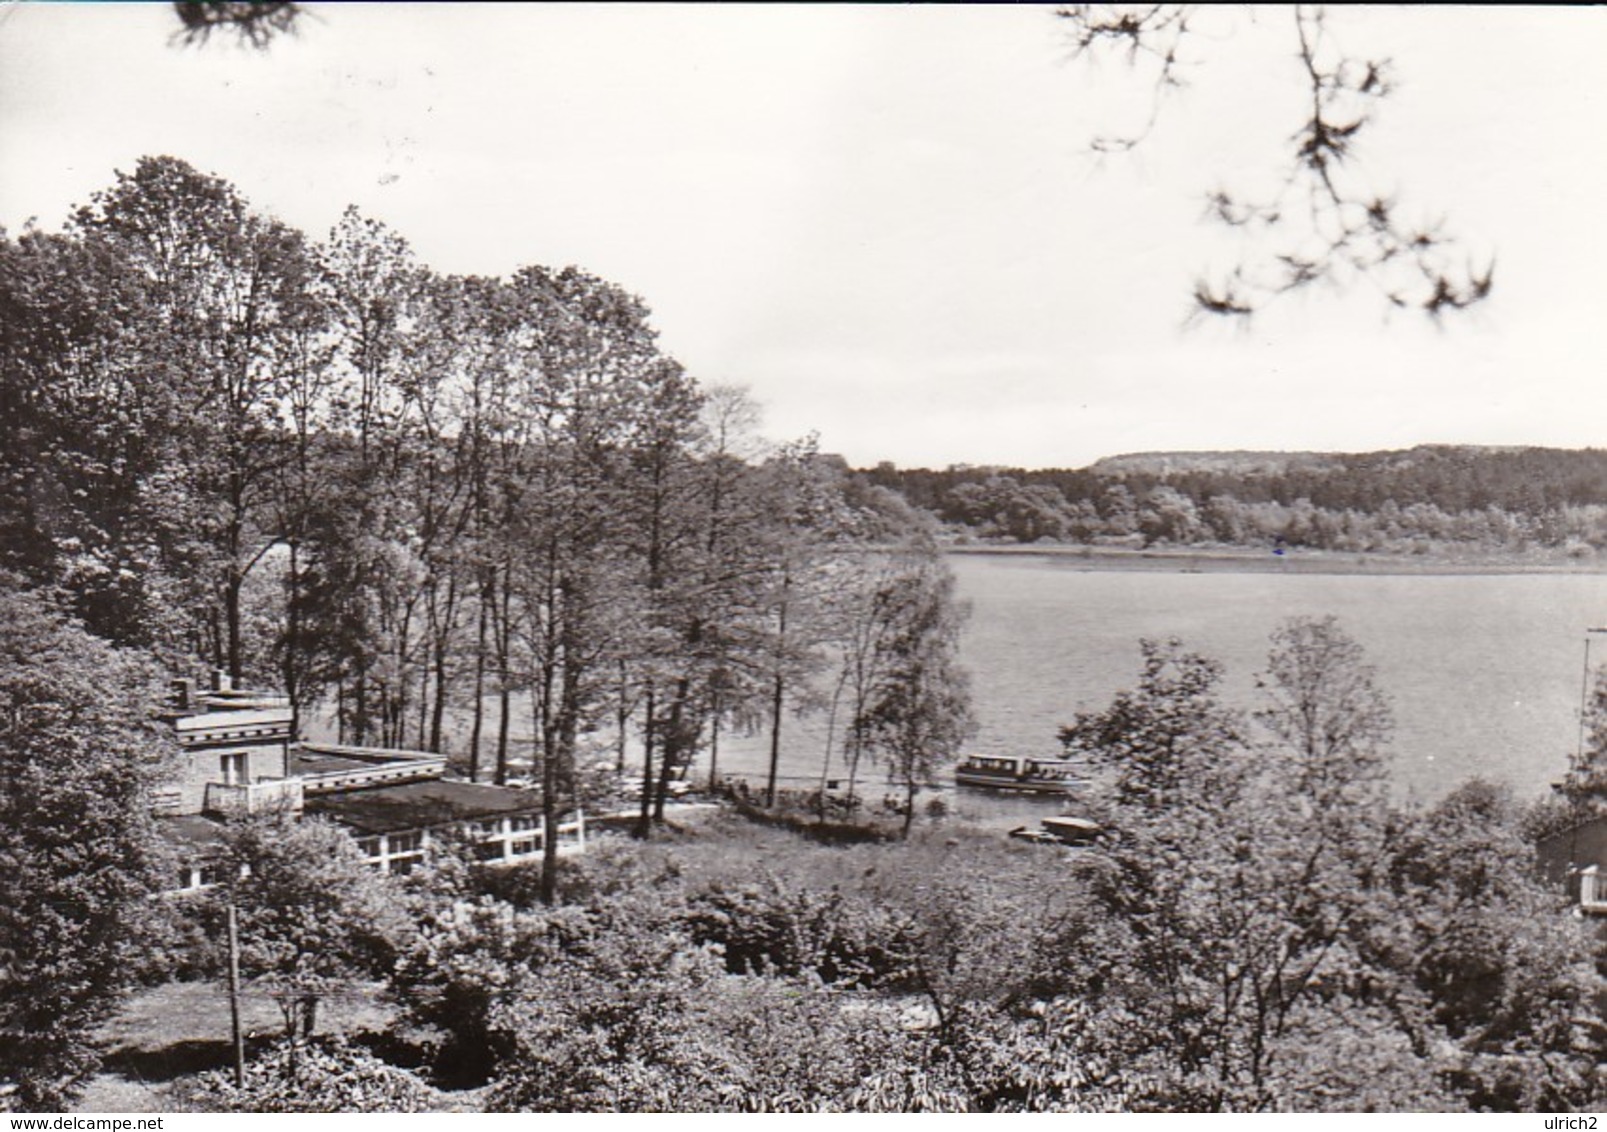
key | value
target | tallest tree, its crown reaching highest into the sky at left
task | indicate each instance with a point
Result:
(232, 295)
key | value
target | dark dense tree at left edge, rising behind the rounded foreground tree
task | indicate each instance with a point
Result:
(89, 417)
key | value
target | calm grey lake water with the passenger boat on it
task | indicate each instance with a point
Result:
(1484, 670)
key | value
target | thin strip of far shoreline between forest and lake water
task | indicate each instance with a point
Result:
(1294, 560)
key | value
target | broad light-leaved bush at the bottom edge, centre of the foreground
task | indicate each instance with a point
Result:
(652, 1027)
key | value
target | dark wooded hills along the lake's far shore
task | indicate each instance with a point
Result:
(1425, 501)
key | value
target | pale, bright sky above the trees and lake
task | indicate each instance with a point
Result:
(886, 219)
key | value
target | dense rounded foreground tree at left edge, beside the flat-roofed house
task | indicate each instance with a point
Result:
(80, 752)
